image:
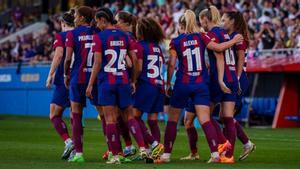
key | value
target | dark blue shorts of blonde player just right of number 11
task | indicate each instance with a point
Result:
(217, 95)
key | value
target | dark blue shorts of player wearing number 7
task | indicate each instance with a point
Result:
(77, 94)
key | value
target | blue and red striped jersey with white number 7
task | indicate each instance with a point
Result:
(81, 40)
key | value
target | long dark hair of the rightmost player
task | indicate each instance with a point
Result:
(239, 25)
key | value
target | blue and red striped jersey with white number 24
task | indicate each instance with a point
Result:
(113, 44)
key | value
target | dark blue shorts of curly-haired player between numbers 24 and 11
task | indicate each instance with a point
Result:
(149, 98)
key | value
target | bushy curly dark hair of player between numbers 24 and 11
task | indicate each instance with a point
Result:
(150, 30)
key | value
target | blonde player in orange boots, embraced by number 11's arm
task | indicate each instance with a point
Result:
(224, 83)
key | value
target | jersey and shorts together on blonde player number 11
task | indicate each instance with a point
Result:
(192, 74)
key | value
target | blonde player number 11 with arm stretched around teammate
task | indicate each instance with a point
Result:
(191, 82)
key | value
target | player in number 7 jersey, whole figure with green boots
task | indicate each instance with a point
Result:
(79, 41)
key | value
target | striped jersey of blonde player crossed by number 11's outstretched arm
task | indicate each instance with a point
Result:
(219, 35)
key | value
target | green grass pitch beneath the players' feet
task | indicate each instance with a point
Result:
(31, 142)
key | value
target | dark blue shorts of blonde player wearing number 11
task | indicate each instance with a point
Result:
(197, 93)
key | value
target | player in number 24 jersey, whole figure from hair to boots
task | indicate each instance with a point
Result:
(115, 89)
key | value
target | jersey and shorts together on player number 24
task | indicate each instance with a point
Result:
(114, 84)
